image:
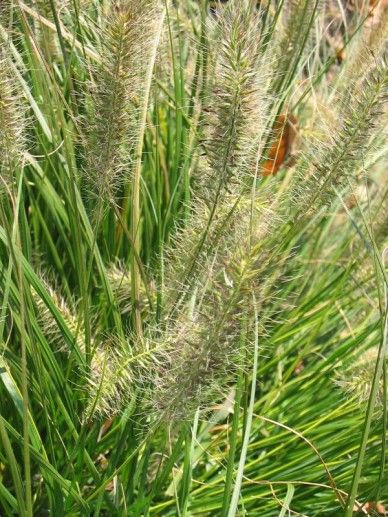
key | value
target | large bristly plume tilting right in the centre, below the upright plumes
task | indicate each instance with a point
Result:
(200, 349)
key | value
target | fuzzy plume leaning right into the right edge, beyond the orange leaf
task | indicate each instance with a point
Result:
(334, 159)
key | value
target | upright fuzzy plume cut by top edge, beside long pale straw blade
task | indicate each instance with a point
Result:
(127, 41)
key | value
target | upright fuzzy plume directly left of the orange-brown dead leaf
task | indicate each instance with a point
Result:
(237, 108)
